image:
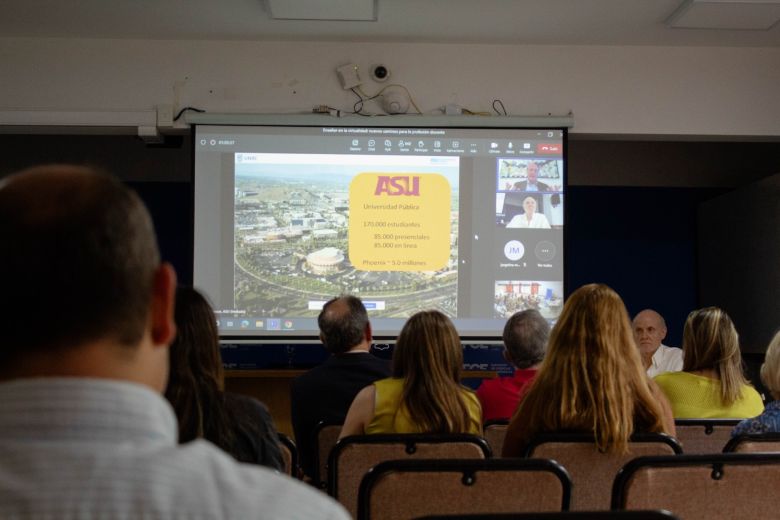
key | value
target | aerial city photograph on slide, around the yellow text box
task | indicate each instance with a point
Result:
(291, 249)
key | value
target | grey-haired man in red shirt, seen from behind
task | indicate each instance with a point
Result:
(525, 341)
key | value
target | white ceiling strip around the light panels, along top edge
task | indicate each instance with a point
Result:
(540, 22)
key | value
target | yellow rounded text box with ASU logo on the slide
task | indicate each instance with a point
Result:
(399, 221)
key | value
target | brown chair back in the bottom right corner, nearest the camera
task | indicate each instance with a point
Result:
(714, 486)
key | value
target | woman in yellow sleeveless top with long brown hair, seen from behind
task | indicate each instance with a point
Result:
(424, 395)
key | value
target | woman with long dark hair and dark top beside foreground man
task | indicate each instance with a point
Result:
(236, 423)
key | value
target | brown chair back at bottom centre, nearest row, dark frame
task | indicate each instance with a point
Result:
(404, 489)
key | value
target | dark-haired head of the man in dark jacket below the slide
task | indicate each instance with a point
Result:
(344, 325)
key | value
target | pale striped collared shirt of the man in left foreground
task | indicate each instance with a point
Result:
(91, 448)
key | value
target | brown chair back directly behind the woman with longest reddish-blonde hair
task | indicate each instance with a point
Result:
(592, 472)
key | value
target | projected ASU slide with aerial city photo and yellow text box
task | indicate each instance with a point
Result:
(308, 227)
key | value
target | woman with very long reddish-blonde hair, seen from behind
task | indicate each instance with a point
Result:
(591, 379)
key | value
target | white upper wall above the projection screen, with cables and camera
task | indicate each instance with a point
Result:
(610, 90)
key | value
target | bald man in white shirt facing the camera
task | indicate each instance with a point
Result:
(649, 332)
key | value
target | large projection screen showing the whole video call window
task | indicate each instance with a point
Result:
(467, 221)
